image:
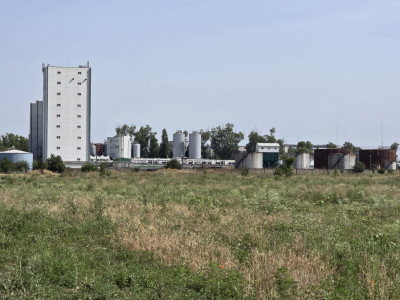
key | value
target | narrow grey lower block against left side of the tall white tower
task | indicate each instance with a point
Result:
(36, 129)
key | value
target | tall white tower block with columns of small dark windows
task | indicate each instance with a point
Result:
(66, 112)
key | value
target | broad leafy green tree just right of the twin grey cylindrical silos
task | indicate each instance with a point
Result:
(224, 141)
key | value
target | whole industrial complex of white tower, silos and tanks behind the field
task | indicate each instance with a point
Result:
(60, 126)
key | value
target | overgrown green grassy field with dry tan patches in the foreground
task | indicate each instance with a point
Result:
(195, 235)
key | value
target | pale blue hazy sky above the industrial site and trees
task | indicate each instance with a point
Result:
(323, 71)
